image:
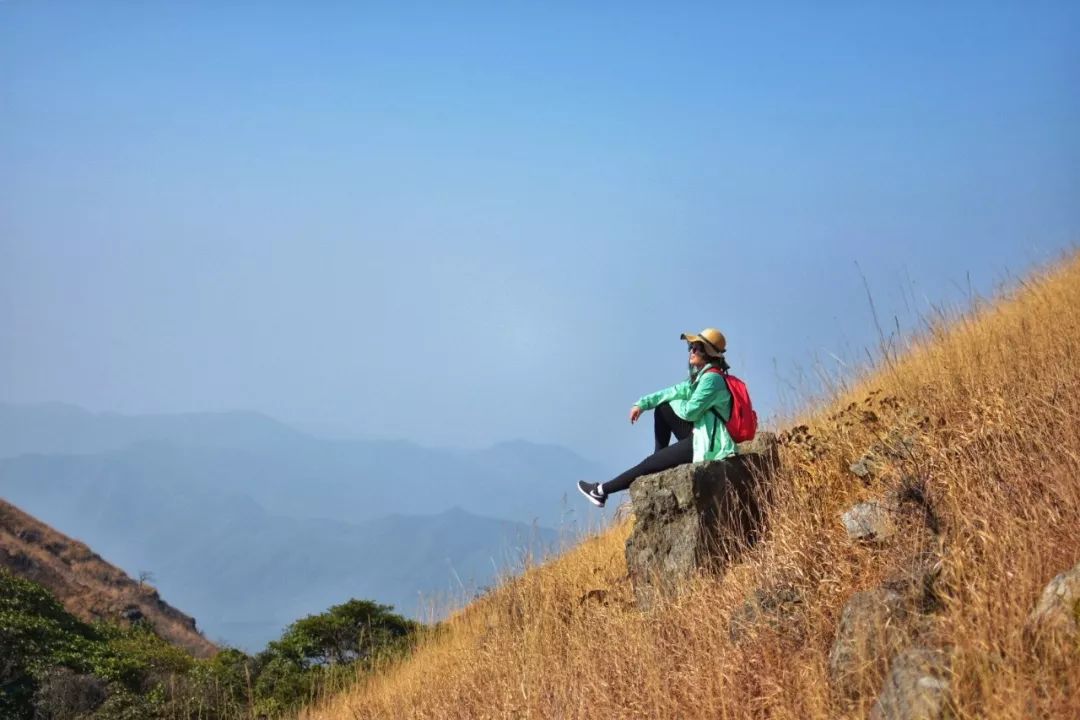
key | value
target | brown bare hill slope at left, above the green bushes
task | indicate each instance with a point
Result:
(89, 588)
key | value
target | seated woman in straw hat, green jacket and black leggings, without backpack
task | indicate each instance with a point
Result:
(695, 412)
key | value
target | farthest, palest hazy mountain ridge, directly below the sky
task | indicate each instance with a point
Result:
(291, 473)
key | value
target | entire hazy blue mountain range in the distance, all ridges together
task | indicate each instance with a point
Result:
(250, 525)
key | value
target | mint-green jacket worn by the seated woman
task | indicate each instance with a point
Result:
(694, 401)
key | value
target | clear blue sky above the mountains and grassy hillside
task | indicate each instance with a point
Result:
(465, 223)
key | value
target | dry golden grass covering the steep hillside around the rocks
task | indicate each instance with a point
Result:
(994, 400)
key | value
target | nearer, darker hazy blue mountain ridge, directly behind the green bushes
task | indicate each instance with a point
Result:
(245, 574)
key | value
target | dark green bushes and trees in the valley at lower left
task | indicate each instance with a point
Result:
(53, 665)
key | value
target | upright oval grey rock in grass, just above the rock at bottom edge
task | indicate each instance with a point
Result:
(872, 629)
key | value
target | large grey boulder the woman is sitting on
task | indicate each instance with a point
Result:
(697, 517)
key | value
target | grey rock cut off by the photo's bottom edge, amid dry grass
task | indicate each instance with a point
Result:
(919, 687)
